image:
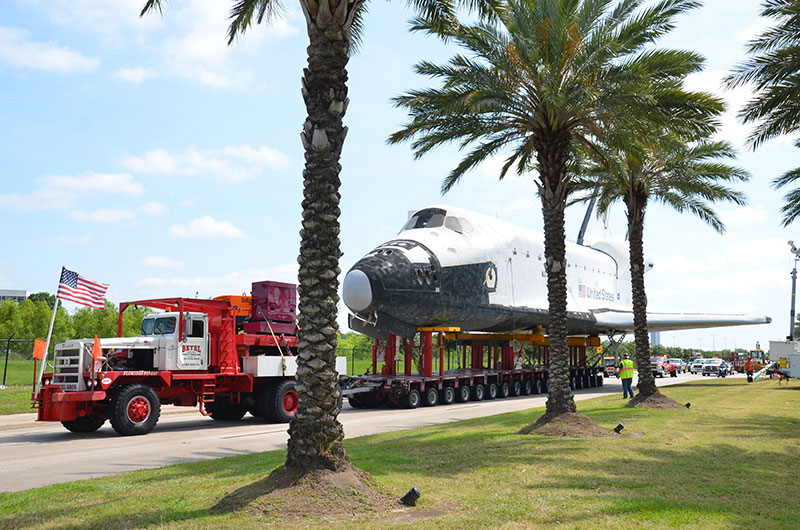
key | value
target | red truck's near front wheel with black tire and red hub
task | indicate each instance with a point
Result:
(134, 410)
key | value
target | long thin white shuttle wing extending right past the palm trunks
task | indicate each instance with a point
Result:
(661, 321)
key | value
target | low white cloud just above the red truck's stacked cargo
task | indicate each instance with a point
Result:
(238, 282)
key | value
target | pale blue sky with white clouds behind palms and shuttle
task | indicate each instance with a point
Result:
(148, 154)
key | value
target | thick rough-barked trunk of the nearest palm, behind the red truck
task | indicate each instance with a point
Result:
(315, 435)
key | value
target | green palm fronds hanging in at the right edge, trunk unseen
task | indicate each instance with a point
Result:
(774, 69)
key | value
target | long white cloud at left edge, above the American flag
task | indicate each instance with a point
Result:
(57, 192)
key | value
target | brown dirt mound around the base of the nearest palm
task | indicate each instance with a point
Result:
(319, 497)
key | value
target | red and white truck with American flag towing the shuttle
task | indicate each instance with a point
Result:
(228, 356)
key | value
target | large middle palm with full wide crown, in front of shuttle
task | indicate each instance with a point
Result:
(548, 76)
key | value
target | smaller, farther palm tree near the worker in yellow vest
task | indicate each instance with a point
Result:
(668, 170)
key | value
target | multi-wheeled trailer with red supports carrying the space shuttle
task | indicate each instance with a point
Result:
(489, 366)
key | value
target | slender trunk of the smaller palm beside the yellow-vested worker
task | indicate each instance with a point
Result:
(647, 382)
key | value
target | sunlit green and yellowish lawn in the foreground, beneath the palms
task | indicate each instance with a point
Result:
(728, 462)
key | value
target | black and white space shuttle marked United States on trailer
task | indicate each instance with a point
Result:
(450, 267)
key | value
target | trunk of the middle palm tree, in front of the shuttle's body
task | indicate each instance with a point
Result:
(552, 150)
